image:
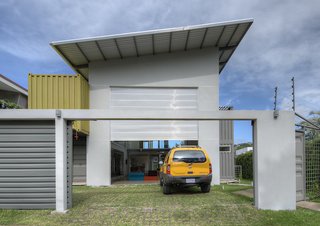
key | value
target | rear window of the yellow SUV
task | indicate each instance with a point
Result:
(189, 156)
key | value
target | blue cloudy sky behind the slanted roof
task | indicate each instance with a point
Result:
(283, 42)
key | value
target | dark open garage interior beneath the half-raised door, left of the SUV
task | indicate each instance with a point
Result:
(138, 161)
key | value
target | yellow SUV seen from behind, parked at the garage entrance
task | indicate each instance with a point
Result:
(186, 166)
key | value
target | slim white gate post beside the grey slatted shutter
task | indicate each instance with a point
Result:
(61, 165)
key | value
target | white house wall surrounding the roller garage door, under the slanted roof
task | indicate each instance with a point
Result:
(195, 68)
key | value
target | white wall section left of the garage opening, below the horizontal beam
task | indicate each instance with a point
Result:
(99, 154)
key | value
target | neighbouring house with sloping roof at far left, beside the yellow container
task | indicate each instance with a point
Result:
(13, 92)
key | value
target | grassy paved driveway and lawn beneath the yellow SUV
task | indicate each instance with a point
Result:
(146, 205)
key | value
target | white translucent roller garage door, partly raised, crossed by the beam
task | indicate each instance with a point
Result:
(154, 99)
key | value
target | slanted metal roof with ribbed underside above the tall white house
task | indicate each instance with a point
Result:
(225, 35)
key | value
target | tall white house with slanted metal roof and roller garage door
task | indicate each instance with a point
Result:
(168, 70)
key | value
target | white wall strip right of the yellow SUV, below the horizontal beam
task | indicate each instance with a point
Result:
(209, 140)
